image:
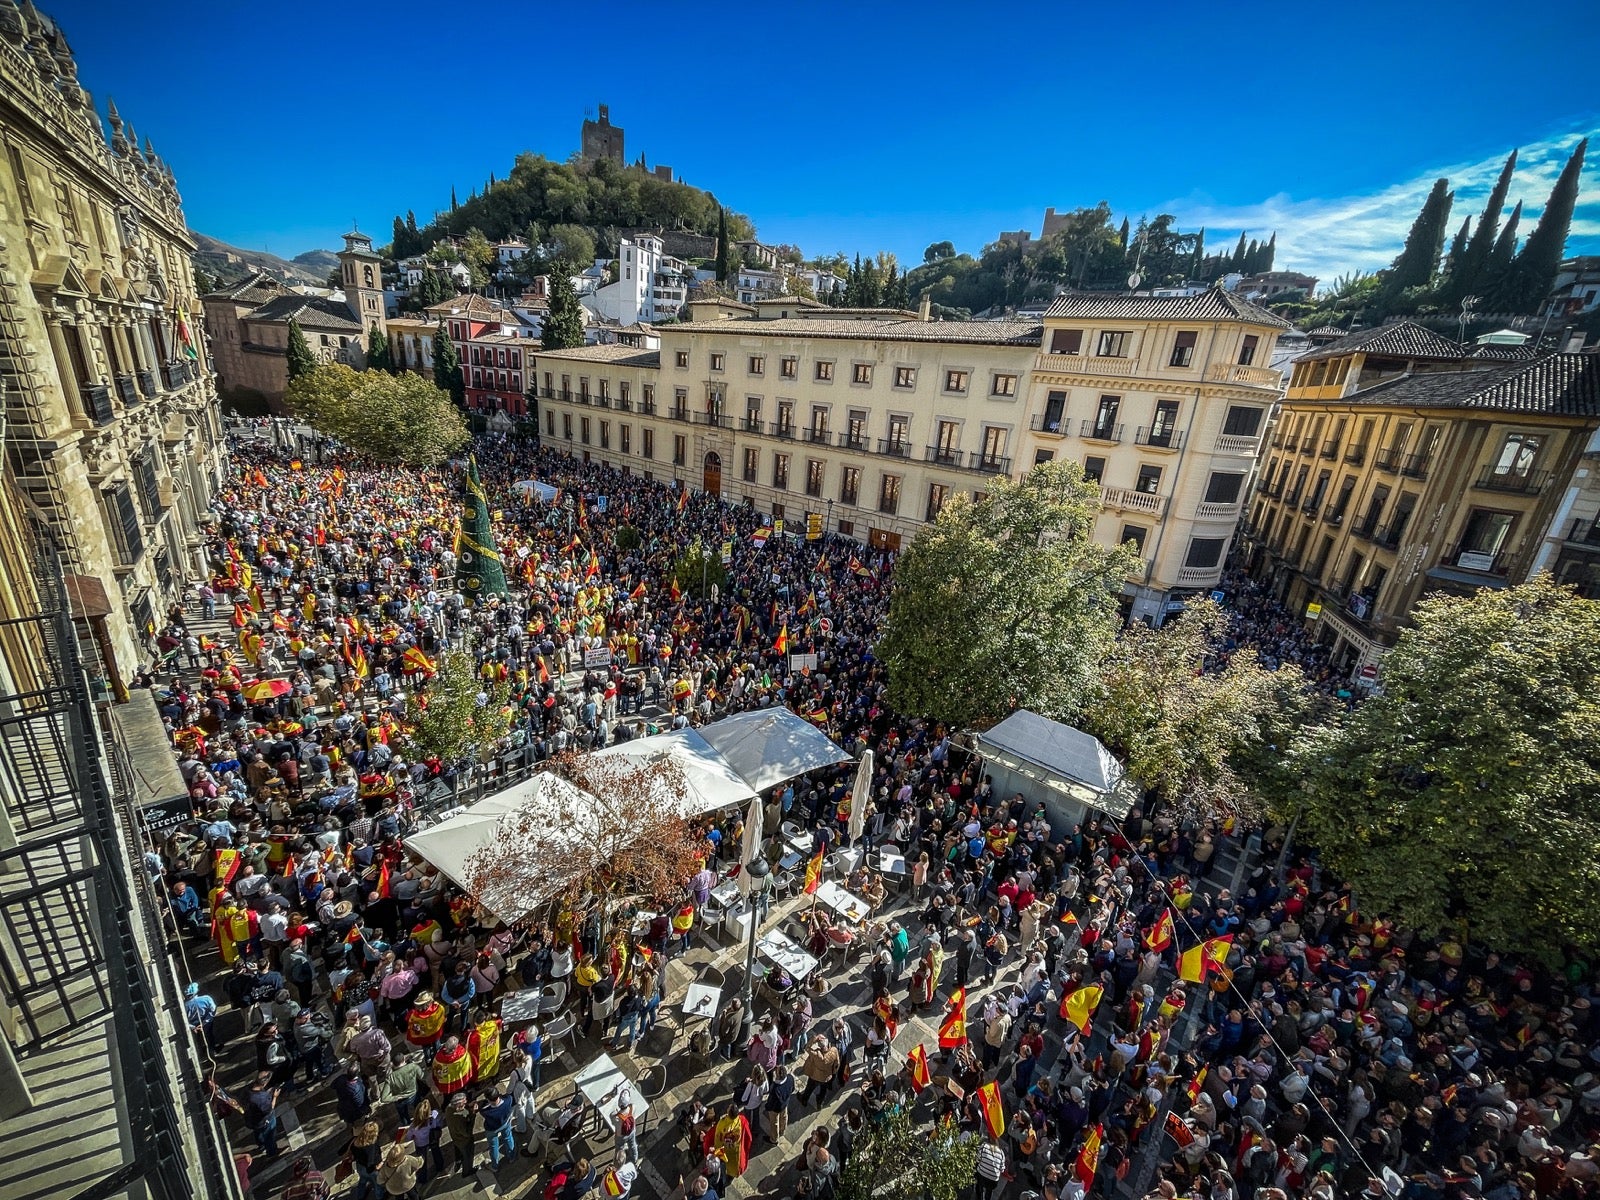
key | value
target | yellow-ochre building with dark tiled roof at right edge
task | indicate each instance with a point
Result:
(1406, 465)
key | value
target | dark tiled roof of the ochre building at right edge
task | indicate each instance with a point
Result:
(1558, 385)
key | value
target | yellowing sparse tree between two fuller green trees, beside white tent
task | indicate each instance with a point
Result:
(1175, 727)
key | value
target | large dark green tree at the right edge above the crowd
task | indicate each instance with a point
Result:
(1466, 794)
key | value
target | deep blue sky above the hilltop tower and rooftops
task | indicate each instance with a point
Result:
(863, 126)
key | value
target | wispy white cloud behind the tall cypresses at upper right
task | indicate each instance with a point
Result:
(1327, 238)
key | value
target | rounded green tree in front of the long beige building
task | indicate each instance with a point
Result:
(1007, 602)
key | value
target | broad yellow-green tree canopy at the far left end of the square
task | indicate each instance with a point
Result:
(390, 418)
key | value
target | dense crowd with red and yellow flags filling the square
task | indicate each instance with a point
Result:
(1143, 1023)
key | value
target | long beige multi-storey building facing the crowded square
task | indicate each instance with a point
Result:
(876, 420)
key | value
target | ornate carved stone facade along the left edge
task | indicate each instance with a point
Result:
(111, 422)
